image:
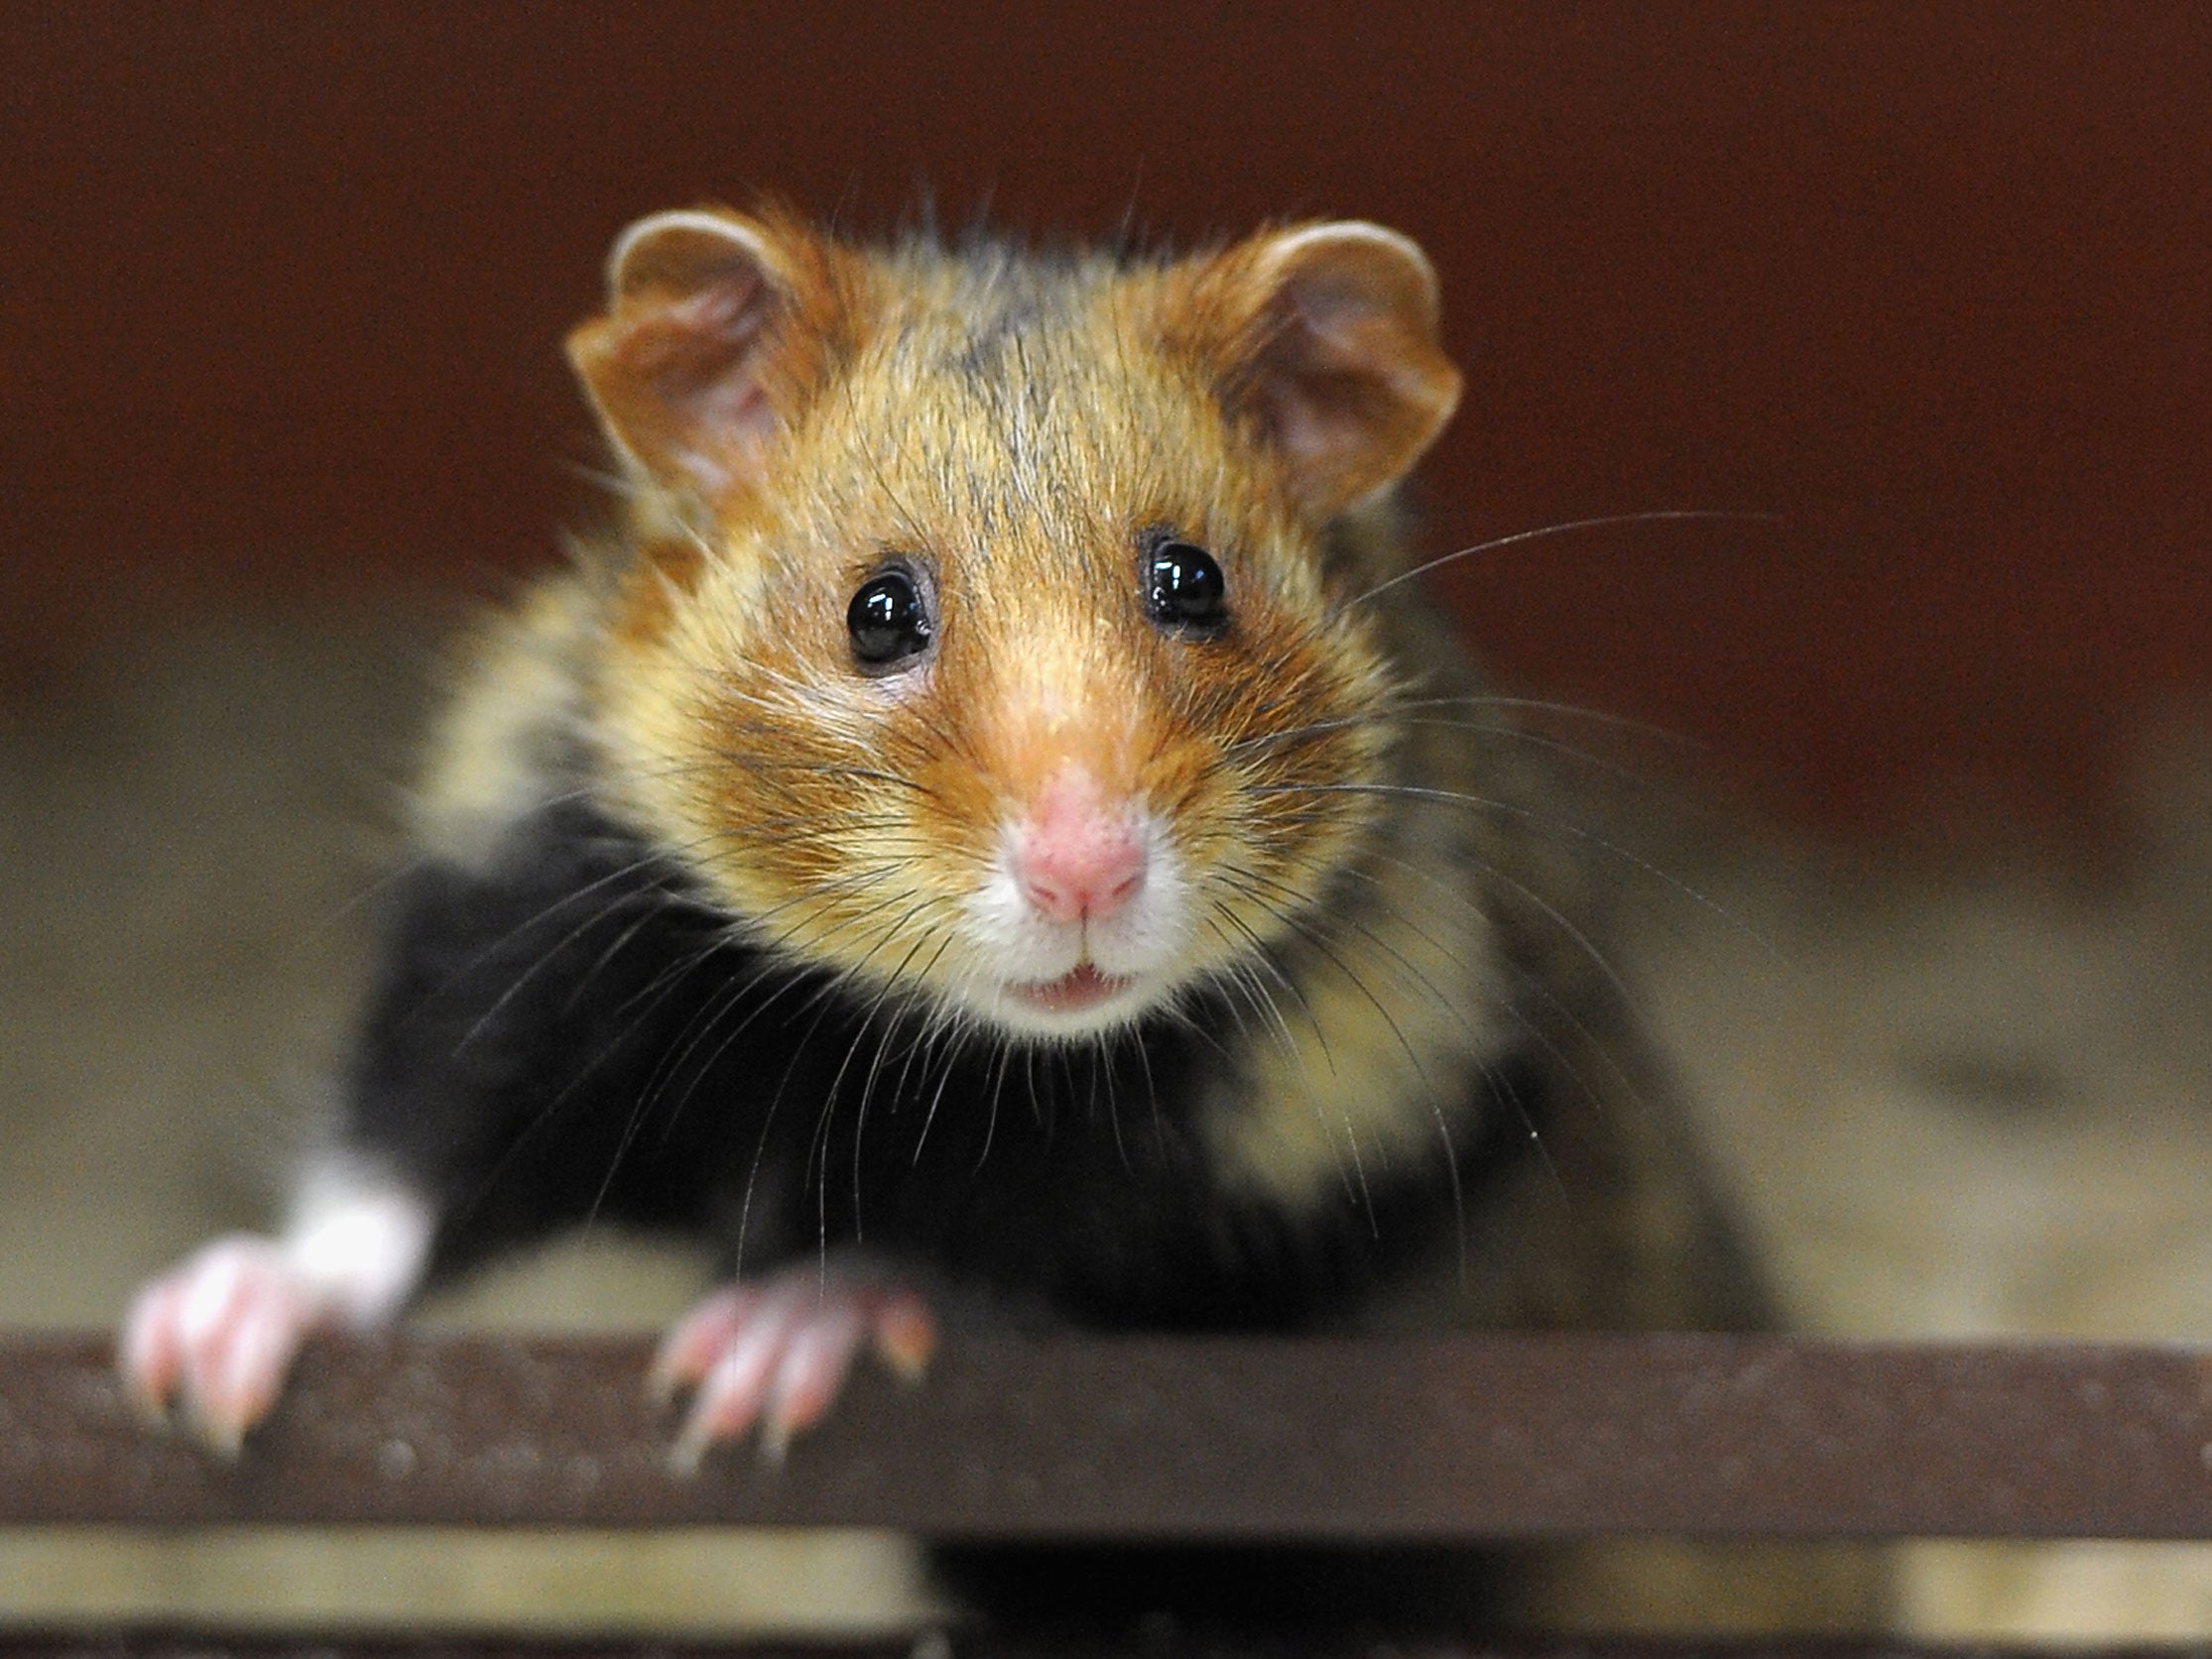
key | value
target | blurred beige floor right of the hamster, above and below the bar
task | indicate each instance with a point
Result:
(1972, 1100)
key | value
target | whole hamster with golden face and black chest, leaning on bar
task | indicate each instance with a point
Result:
(992, 826)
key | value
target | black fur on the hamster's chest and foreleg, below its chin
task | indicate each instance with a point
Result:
(574, 1039)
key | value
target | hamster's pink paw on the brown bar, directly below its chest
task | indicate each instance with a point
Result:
(778, 1350)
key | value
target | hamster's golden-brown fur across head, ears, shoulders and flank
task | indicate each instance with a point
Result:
(1381, 873)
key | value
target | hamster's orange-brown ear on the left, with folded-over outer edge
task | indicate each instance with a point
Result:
(716, 331)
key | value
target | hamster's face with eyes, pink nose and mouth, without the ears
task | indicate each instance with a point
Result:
(1021, 687)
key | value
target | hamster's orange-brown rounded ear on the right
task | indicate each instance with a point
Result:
(1333, 351)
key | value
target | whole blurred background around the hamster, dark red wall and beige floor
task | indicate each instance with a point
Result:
(282, 295)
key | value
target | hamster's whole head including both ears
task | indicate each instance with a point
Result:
(994, 634)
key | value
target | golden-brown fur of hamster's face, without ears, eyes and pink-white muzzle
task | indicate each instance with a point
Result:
(742, 735)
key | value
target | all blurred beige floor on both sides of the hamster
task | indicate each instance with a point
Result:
(1950, 1105)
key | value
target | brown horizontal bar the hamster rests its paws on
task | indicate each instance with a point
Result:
(1350, 1441)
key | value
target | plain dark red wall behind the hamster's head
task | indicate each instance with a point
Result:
(282, 293)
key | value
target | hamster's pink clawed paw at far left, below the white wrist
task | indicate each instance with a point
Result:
(218, 1337)
